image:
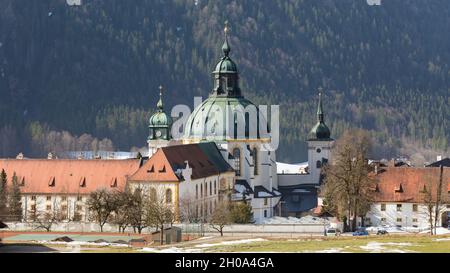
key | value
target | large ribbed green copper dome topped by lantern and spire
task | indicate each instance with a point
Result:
(209, 120)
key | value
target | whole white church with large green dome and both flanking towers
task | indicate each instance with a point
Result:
(241, 134)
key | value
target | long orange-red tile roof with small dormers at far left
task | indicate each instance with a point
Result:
(66, 176)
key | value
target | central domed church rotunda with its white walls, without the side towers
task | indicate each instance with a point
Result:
(240, 131)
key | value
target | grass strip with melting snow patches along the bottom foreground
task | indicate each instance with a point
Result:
(343, 244)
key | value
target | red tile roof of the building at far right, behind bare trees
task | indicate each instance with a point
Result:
(407, 184)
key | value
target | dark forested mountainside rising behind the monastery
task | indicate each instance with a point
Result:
(87, 77)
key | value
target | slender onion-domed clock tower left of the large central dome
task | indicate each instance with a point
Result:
(160, 125)
